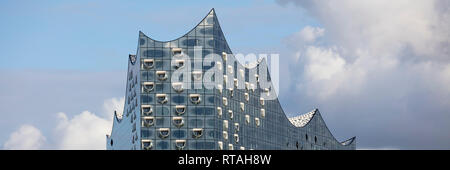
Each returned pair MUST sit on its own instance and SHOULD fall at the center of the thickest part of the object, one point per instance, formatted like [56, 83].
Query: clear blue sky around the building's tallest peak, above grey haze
[96, 35]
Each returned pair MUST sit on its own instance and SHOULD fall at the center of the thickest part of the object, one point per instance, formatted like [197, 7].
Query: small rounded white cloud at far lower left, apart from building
[26, 137]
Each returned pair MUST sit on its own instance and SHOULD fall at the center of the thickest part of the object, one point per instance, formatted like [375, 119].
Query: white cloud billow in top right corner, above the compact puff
[384, 27]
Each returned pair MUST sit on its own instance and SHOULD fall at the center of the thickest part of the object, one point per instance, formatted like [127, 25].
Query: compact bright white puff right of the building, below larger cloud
[326, 72]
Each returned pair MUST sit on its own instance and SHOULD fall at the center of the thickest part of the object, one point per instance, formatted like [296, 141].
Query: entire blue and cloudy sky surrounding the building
[377, 70]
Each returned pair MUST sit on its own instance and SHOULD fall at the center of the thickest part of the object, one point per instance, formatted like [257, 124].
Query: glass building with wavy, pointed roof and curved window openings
[170, 106]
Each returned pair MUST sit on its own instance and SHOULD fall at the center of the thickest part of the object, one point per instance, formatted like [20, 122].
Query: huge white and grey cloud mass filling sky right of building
[384, 64]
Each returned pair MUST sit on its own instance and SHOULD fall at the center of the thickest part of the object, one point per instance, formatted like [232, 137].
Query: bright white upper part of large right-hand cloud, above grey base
[373, 38]
